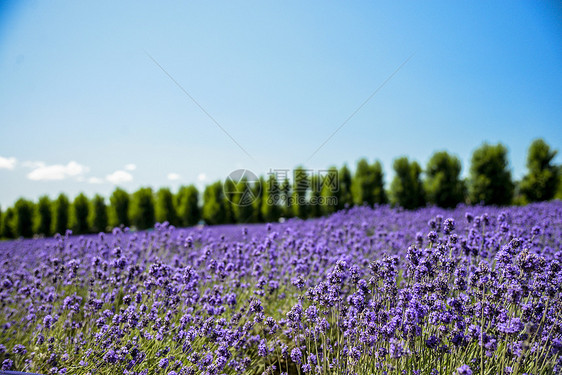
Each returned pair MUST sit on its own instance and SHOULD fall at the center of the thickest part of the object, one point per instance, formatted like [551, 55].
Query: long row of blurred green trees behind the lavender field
[489, 183]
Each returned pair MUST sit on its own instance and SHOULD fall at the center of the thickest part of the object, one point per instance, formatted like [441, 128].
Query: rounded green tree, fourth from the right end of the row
[406, 188]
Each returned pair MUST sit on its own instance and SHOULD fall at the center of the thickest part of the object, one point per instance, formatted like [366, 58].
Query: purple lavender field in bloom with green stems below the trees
[475, 290]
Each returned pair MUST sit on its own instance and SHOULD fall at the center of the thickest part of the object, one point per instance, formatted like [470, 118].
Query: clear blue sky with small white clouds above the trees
[84, 108]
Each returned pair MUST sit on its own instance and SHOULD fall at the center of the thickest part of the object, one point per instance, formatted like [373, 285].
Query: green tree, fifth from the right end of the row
[367, 185]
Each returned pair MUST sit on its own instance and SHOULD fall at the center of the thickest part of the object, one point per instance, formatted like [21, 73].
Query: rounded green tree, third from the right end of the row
[443, 185]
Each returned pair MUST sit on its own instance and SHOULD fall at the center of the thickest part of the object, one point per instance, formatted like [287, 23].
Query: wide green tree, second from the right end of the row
[490, 178]
